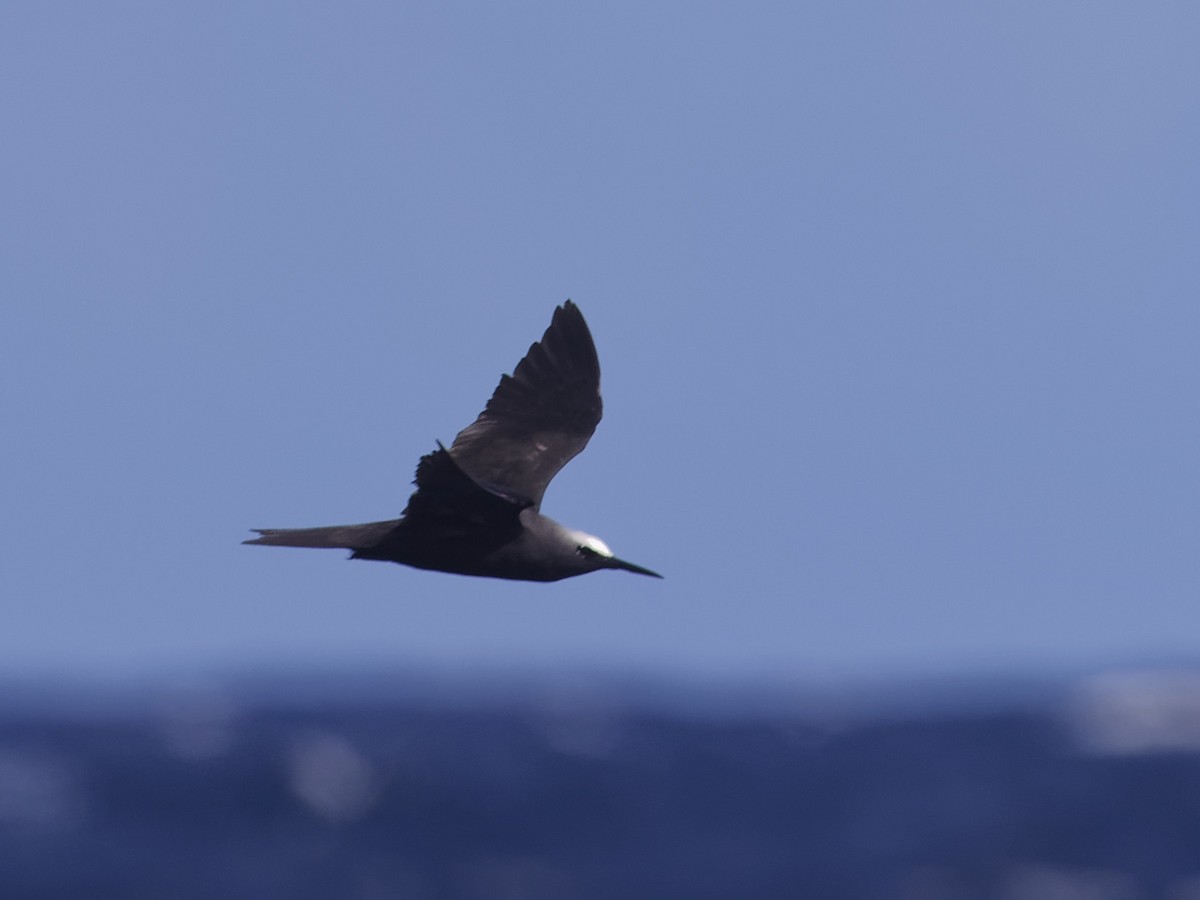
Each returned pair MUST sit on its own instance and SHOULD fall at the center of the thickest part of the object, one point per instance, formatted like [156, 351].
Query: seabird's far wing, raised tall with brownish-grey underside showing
[541, 417]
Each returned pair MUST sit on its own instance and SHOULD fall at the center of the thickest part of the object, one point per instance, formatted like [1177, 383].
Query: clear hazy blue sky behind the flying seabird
[898, 309]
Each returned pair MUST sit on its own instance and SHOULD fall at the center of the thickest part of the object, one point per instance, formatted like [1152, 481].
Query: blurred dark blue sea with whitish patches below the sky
[213, 794]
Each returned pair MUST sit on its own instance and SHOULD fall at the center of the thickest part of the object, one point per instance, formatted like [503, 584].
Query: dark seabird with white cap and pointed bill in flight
[477, 509]
